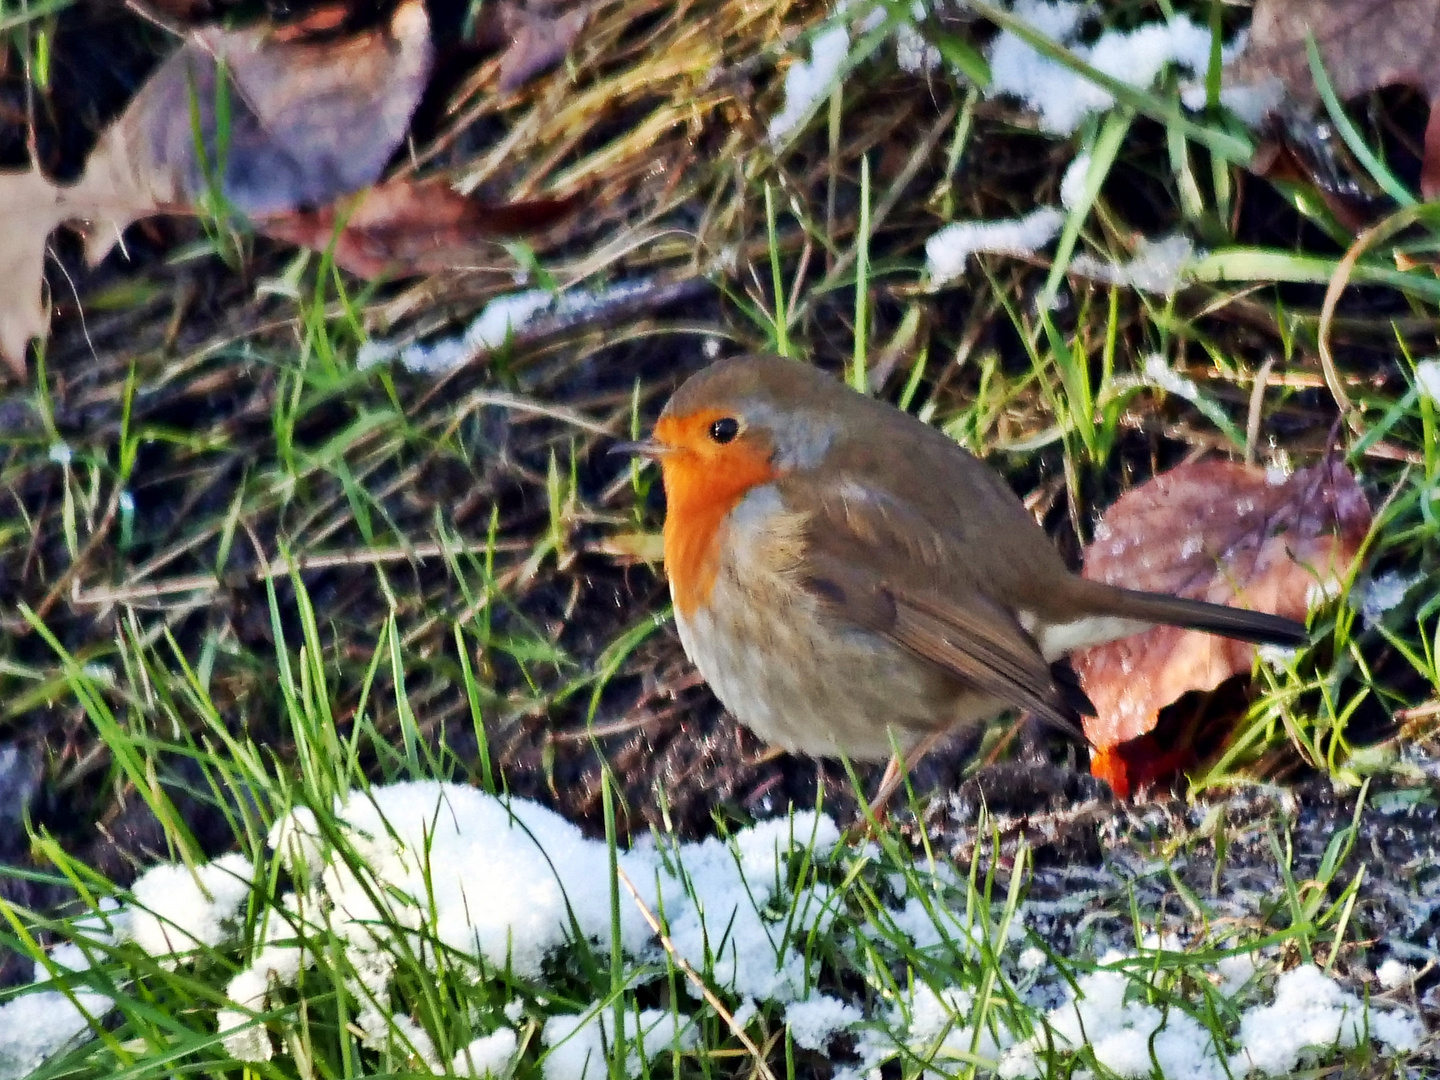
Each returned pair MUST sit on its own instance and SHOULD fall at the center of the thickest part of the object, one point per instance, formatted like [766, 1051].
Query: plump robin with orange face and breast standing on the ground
[853, 582]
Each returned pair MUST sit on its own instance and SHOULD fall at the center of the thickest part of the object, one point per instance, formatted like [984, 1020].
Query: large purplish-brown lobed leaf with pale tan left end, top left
[309, 122]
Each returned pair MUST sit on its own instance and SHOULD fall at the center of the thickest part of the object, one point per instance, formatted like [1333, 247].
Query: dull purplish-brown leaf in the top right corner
[1366, 45]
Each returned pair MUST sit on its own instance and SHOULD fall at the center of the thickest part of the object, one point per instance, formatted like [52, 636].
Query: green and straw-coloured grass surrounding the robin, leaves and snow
[260, 580]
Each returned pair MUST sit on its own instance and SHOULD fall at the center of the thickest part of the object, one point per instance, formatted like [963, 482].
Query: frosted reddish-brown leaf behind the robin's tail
[1218, 532]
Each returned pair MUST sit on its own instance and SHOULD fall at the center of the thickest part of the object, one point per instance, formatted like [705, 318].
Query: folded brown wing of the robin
[876, 567]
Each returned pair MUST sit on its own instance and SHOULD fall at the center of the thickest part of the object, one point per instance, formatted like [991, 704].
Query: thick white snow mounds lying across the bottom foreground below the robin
[512, 886]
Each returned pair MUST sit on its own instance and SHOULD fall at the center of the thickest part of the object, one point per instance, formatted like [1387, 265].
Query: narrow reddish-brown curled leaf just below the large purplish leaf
[411, 227]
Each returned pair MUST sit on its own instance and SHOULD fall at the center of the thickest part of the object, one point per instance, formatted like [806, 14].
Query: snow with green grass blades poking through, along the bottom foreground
[506, 912]
